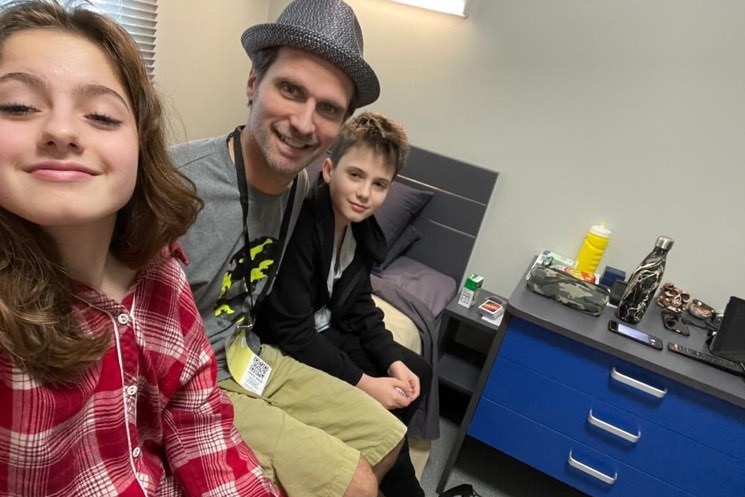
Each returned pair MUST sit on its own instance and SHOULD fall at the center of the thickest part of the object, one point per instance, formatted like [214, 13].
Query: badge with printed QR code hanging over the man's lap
[246, 367]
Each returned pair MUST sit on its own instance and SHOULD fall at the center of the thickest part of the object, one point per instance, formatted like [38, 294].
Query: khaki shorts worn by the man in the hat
[309, 429]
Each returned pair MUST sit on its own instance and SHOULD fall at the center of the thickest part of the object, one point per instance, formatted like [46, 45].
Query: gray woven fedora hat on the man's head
[326, 28]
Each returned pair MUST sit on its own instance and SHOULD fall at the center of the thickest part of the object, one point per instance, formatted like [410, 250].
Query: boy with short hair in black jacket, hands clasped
[321, 310]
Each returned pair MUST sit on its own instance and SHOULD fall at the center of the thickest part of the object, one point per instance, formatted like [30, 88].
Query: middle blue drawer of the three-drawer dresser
[620, 434]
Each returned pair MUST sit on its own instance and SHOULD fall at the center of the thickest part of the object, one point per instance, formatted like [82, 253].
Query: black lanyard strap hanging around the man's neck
[240, 170]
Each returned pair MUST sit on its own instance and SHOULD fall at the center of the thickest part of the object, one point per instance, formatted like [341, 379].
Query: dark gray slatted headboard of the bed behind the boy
[451, 220]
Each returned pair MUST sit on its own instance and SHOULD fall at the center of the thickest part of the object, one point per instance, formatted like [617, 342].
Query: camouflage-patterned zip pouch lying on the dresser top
[568, 290]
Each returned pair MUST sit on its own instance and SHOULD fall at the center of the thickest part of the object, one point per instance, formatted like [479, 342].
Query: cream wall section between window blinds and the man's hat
[200, 65]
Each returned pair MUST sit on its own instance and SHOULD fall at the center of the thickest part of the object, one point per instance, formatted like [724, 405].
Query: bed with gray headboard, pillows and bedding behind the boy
[431, 219]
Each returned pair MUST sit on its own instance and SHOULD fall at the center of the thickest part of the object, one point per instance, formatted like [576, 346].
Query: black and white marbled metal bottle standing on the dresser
[643, 282]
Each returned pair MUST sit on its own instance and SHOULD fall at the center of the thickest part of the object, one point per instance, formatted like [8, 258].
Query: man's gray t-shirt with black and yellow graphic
[214, 244]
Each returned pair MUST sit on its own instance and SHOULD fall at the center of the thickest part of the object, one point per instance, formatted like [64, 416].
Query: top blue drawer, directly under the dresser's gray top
[708, 420]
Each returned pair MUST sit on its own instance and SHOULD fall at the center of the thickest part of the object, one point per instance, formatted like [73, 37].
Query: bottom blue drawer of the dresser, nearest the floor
[561, 457]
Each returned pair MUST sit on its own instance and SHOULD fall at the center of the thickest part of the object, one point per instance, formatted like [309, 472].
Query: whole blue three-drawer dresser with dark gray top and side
[604, 414]
